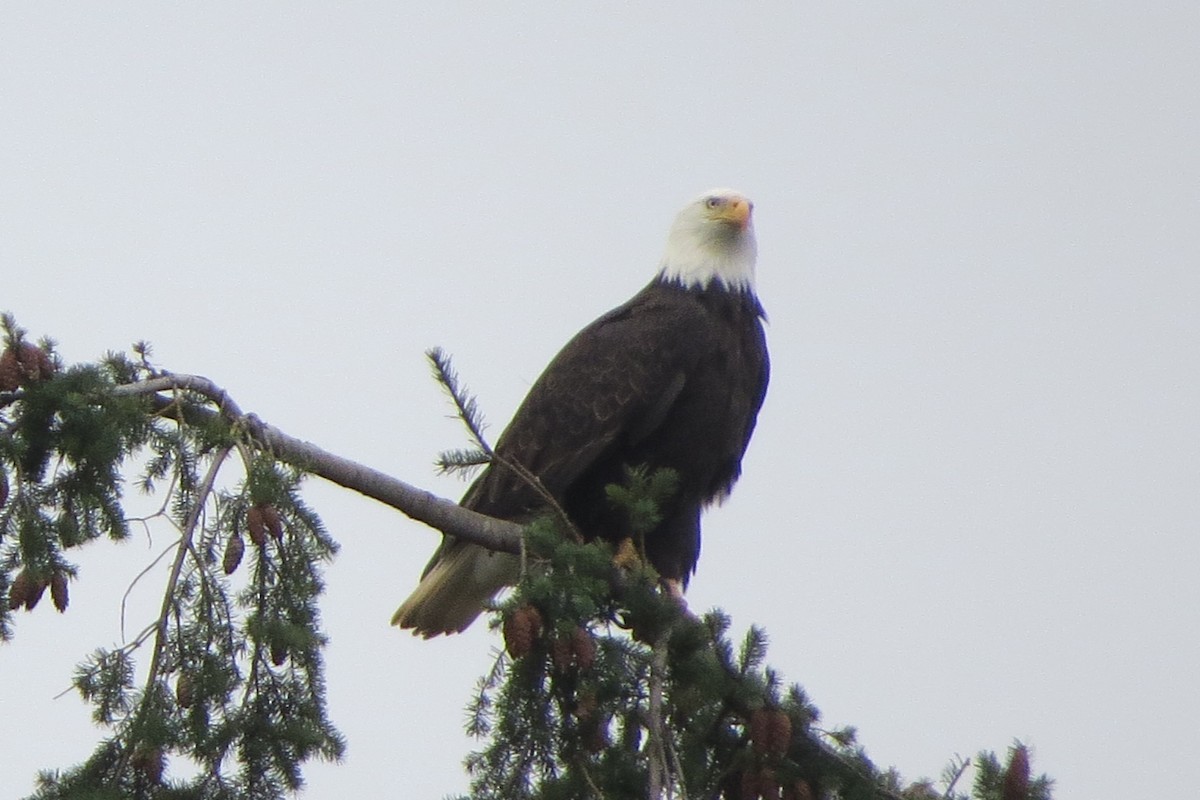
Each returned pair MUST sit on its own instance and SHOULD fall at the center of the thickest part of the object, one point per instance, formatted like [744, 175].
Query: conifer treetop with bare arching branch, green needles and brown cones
[604, 687]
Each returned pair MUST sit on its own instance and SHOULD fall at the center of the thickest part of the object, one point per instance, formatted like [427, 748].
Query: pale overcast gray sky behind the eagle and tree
[970, 512]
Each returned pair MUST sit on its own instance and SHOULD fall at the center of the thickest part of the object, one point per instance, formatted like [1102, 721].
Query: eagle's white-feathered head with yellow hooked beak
[713, 239]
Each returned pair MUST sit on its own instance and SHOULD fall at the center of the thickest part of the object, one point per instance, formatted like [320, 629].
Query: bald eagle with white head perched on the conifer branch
[674, 378]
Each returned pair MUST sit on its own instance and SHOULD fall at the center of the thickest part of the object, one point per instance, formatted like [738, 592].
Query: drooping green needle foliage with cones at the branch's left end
[236, 693]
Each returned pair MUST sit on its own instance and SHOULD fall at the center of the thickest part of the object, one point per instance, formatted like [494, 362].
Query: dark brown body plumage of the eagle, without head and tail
[674, 378]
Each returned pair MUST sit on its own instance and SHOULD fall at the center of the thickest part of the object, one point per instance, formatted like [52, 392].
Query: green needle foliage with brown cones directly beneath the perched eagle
[567, 711]
